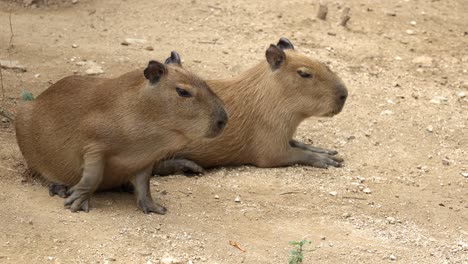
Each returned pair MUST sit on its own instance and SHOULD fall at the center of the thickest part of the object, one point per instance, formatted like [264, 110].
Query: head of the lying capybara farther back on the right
[312, 88]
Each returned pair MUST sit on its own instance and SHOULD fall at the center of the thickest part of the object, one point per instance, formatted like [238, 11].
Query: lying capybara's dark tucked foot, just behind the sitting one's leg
[173, 166]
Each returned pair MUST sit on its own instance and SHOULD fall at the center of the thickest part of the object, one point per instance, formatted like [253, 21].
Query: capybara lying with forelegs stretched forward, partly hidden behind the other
[265, 105]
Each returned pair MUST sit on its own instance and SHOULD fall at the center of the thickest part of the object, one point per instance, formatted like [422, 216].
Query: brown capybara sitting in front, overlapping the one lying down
[95, 133]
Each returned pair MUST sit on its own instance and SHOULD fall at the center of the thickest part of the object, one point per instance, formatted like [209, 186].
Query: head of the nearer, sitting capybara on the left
[185, 100]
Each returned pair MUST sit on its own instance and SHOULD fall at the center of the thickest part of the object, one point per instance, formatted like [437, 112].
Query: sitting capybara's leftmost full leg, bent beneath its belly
[90, 180]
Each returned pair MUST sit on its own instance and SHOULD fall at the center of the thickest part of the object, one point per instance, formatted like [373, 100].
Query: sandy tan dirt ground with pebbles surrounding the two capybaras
[401, 196]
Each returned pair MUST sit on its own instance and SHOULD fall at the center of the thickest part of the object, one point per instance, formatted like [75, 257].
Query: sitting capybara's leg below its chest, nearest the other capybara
[143, 195]
